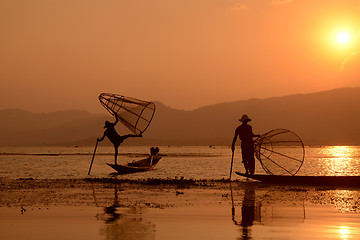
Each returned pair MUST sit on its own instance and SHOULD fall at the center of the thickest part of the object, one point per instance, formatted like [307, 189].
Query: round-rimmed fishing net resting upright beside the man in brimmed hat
[280, 152]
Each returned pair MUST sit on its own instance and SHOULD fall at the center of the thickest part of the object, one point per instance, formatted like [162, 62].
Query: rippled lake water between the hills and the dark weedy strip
[195, 162]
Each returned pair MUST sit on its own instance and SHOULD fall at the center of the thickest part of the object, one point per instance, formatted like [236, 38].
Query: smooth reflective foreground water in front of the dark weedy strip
[248, 212]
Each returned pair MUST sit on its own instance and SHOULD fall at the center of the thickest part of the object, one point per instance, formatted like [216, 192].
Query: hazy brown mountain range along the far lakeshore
[323, 118]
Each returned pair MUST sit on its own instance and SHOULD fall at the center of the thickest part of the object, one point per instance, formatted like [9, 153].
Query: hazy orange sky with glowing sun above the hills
[61, 54]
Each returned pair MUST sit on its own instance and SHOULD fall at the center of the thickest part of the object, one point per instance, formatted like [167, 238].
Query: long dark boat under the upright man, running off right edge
[330, 181]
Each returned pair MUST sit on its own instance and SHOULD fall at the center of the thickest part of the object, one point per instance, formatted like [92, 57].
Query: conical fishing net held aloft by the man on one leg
[135, 114]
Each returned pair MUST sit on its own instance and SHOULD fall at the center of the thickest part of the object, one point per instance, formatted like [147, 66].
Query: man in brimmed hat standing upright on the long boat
[245, 133]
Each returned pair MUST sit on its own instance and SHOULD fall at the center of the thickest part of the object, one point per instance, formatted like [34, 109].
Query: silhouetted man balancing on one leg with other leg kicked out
[114, 137]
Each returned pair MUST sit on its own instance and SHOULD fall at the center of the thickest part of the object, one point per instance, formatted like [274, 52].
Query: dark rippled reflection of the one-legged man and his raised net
[125, 223]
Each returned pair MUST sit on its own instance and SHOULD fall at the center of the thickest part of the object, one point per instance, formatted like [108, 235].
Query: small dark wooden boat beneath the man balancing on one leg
[142, 165]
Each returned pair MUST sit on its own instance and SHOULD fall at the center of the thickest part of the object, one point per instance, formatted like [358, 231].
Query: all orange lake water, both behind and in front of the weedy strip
[252, 212]
